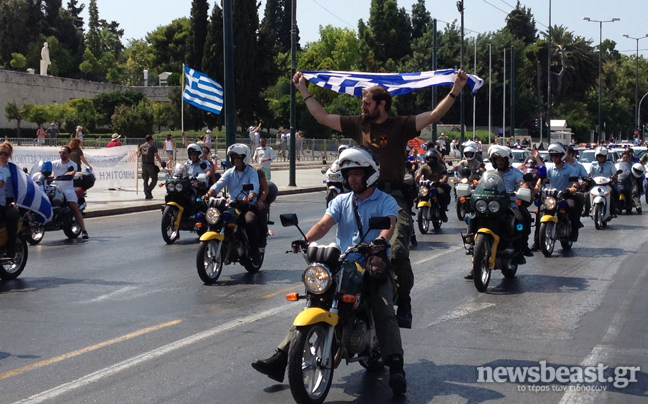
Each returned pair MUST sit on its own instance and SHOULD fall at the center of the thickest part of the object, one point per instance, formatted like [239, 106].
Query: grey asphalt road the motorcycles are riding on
[124, 318]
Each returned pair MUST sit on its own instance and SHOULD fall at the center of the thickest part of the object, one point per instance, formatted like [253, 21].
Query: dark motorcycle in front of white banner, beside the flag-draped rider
[63, 218]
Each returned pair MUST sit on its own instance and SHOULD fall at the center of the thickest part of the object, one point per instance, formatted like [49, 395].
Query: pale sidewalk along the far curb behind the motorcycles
[105, 203]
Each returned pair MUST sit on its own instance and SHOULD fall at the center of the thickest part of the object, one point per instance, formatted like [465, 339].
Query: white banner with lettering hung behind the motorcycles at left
[113, 167]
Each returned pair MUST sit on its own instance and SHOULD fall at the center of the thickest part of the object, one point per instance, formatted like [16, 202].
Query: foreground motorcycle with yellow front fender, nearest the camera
[337, 322]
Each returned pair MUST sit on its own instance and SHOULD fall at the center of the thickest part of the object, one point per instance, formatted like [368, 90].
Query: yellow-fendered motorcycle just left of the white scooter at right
[555, 224]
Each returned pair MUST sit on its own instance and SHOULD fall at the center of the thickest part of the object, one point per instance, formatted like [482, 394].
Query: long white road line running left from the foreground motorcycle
[134, 361]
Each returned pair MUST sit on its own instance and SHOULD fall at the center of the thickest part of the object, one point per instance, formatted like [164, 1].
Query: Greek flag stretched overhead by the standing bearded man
[396, 83]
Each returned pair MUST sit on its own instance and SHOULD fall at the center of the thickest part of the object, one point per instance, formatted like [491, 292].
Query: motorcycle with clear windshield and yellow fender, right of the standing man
[496, 242]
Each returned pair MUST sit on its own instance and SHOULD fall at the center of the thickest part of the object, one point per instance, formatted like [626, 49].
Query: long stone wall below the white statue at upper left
[24, 88]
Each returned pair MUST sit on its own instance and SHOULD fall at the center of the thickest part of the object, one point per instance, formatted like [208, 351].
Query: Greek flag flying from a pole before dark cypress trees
[202, 91]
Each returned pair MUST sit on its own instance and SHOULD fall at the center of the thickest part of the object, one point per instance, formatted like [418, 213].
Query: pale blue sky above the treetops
[139, 17]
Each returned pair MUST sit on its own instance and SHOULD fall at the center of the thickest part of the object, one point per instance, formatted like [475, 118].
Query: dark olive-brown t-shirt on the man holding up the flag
[387, 140]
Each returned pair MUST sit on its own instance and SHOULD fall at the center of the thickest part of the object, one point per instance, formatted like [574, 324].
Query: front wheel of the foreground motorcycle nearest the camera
[309, 381]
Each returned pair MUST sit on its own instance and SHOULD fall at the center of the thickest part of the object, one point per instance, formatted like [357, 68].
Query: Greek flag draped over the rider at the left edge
[29, 196]
